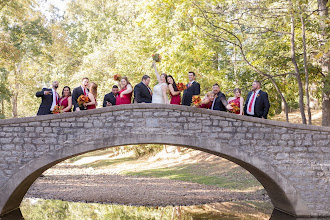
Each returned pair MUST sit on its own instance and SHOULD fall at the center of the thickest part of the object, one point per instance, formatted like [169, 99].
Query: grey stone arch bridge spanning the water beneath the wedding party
[291, 161]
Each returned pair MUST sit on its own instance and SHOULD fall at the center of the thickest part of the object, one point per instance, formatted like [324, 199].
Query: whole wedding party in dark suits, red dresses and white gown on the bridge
[84, 96]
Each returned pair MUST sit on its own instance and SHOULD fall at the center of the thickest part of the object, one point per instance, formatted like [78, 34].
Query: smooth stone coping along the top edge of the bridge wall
[11, 121]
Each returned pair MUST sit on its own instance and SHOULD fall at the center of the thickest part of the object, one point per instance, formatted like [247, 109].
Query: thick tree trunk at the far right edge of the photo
[325, 62]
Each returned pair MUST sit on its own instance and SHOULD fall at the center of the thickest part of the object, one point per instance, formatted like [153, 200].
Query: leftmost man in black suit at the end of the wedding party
[49, 99]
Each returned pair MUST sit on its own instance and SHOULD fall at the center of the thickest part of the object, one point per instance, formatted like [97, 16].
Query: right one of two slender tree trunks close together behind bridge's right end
[306, 71]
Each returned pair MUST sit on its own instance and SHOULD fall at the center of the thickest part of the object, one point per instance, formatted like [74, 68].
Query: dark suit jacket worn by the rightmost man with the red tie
[261, 106]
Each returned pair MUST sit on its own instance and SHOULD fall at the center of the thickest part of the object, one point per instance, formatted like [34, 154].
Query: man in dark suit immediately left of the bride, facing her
[142, 91]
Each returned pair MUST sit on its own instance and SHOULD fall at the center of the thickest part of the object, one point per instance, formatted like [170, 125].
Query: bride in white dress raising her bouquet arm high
[160, 90]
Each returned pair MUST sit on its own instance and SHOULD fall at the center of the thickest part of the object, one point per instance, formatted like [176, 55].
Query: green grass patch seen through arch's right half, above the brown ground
[231, 179]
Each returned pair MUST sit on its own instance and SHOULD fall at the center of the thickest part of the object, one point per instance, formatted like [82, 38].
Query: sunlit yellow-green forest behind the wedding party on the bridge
[284, 44]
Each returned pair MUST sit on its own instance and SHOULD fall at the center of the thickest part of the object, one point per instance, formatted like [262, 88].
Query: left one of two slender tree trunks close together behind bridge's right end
[300, 86]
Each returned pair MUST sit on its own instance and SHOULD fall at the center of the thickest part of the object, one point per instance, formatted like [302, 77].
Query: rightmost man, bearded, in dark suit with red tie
[257, 103]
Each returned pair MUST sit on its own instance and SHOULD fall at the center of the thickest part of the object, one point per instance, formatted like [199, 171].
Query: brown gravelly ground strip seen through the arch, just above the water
[129, 190]
